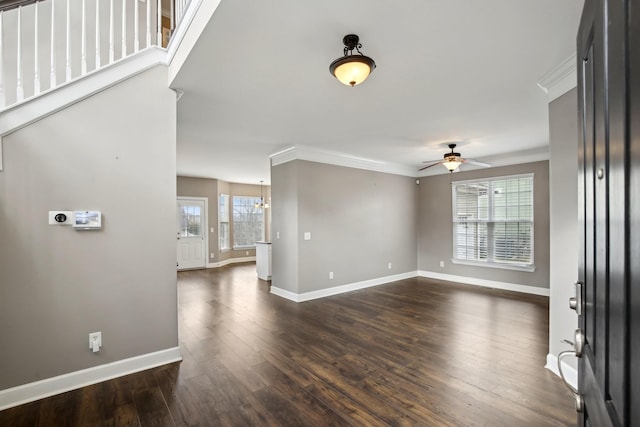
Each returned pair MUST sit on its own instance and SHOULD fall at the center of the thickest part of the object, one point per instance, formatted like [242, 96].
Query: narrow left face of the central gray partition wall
[284, 227]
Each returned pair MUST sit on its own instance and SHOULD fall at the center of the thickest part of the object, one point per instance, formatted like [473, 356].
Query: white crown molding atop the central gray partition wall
[339, 159]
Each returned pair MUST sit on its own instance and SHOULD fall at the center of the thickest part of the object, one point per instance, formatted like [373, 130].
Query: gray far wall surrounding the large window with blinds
[435, 226]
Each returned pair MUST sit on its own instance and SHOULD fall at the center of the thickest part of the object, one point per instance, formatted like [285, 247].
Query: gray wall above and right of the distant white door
[208, 188]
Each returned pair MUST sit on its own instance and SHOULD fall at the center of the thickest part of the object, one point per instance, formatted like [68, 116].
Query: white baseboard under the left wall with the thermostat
[51, 386]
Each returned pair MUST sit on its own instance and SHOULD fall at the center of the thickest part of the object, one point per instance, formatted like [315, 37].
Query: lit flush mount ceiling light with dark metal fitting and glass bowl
[352, 69]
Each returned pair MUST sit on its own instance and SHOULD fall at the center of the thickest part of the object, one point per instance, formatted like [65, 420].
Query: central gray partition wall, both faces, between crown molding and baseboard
[359, 222]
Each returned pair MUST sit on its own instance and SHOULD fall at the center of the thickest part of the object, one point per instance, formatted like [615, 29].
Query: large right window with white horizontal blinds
[493, 221]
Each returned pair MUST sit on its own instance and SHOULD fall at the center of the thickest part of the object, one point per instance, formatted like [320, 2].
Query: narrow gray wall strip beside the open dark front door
[563, 176]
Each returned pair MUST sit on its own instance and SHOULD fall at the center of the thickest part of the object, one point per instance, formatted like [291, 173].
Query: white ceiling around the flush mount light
[258, 81]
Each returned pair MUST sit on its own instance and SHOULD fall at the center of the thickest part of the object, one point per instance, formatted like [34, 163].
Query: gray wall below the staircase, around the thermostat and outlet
[58, 284]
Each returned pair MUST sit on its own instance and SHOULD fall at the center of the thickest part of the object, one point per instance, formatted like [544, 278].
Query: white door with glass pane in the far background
[192, 226]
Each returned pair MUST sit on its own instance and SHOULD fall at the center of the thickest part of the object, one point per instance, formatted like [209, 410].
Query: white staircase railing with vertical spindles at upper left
[49, 43]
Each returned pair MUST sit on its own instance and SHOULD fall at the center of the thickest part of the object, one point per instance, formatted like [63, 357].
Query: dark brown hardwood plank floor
[414, 352]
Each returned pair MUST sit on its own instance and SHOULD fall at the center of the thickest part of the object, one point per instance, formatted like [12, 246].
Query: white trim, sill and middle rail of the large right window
[529, 267]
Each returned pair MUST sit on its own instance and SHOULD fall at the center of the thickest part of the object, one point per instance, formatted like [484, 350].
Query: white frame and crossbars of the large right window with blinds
[490, 221]
